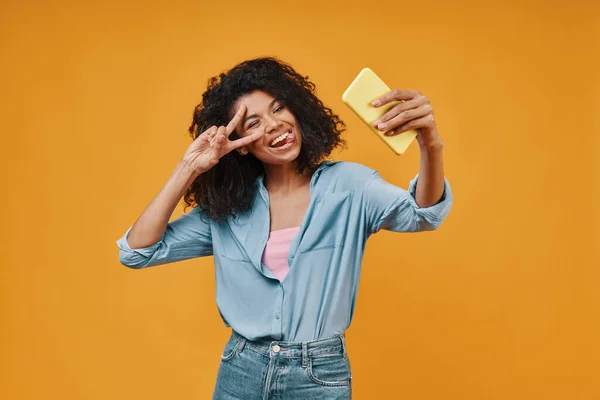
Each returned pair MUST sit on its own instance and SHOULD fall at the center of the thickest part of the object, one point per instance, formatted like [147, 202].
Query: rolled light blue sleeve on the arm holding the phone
[392, 208]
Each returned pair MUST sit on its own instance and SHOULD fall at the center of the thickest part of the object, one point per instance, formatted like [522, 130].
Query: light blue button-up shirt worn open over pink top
[348, 203]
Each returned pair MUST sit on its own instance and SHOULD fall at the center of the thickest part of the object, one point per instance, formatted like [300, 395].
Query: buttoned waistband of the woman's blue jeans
[335, 345]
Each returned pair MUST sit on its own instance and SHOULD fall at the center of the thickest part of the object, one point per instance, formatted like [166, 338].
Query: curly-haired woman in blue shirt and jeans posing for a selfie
[287, 229]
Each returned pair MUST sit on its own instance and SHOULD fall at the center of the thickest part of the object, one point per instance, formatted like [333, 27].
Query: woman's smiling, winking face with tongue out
[282, 139]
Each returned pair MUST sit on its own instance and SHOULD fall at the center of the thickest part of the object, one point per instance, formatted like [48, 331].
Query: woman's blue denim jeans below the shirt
[267, 370]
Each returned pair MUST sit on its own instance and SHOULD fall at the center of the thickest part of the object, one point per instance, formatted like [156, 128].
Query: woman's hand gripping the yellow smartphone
[414, 112]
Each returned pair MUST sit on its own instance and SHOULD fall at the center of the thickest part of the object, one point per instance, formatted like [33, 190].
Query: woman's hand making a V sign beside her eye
[212, 144]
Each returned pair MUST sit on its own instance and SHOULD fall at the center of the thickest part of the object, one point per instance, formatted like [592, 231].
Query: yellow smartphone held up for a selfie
[366, 88]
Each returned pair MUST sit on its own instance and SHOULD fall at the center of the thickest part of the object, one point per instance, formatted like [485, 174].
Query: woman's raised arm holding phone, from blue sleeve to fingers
[428, 199]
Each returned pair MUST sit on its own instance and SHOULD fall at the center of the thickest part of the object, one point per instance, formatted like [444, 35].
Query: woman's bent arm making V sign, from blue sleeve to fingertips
[152, 240]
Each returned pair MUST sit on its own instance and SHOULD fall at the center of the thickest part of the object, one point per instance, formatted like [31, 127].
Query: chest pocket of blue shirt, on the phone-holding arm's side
[328, 225]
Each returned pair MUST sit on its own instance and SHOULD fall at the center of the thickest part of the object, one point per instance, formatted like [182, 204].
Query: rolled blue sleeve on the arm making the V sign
[186, 237]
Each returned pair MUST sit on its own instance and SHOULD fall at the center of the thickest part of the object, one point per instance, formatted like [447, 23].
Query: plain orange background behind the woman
[502, 302]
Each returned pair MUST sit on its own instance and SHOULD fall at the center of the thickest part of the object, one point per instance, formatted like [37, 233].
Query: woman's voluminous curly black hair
[229, 187]
